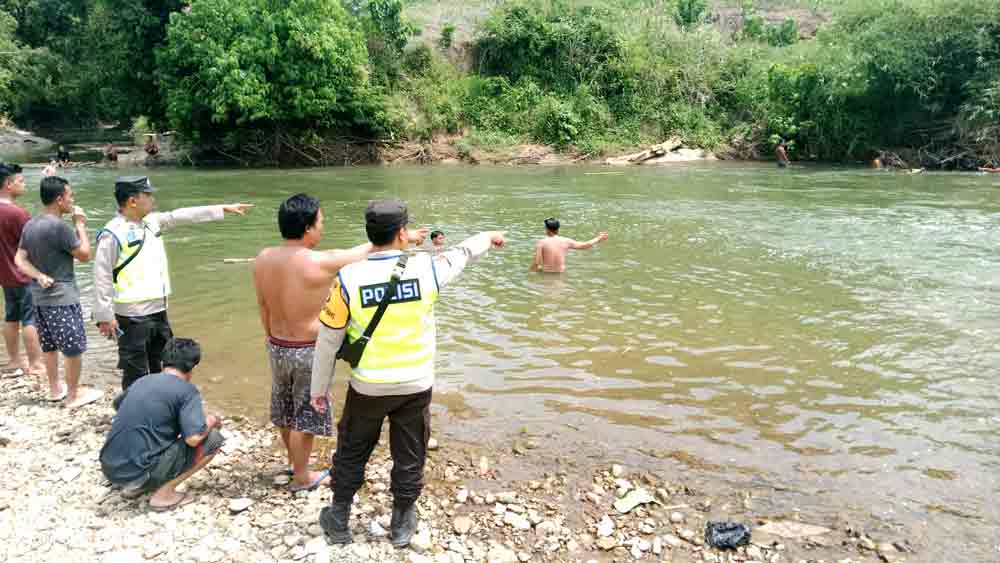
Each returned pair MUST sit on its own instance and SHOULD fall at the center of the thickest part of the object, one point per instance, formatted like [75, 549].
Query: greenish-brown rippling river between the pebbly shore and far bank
[833, 332]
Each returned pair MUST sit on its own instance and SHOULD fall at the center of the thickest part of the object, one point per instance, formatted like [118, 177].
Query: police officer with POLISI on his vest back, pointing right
[395, 375]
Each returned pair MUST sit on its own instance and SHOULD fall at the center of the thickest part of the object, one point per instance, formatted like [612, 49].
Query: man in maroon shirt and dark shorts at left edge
[19, 317]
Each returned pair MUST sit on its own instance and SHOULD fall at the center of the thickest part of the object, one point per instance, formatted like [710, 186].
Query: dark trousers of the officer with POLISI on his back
[358, 432]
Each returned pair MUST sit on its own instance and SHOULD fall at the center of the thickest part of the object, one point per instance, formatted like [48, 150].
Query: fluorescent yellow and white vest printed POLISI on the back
[403, 346]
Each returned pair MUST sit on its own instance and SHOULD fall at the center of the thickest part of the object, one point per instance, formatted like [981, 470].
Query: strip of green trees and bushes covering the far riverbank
[270, 82]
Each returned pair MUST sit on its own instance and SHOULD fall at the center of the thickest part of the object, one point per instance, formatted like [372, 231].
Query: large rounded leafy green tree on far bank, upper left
[296, 67]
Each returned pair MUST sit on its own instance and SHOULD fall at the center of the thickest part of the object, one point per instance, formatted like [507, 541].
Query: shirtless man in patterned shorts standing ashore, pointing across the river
[293, 282]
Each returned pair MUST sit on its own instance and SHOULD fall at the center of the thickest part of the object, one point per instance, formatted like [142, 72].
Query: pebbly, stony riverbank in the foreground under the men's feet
[482, 502]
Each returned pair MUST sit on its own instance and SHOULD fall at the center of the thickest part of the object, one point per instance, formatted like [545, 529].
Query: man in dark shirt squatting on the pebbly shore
[161, 436]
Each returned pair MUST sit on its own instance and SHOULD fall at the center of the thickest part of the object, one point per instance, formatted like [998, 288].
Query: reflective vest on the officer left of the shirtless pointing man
[146, 277]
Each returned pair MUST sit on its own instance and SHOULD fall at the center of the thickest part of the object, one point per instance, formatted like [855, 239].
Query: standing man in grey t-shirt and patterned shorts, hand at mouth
[46, 253]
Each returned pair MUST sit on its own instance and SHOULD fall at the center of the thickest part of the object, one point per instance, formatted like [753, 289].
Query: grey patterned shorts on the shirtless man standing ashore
[291, 375]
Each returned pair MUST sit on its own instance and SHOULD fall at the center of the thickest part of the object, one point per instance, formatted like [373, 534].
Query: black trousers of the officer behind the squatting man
[140, 348]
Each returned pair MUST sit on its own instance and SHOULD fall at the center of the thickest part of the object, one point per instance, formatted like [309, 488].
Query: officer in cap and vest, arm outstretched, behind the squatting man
[131, 276]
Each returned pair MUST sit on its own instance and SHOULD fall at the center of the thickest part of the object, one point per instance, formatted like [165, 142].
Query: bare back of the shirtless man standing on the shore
[292, 286]
